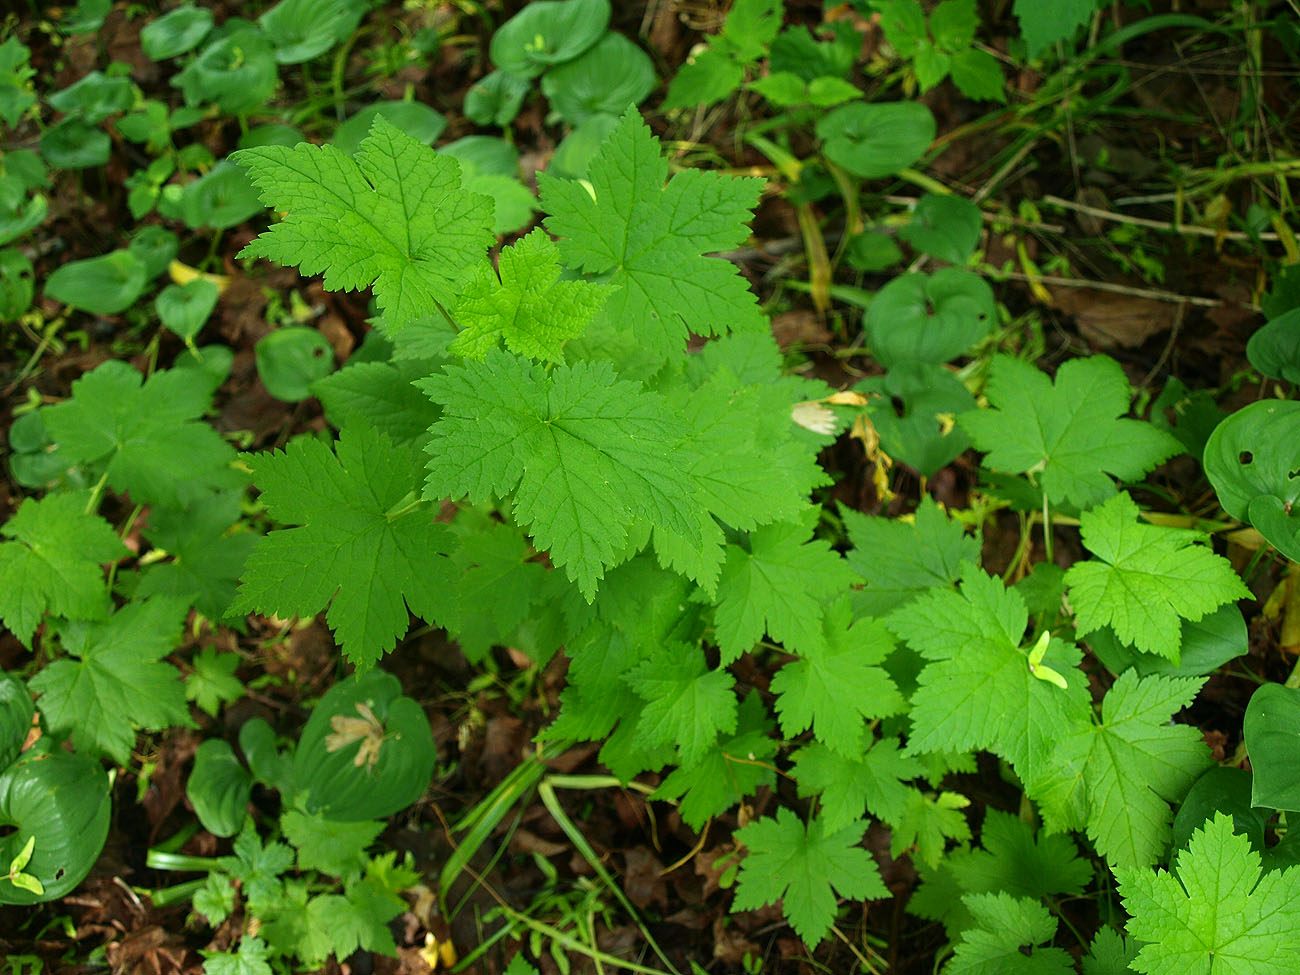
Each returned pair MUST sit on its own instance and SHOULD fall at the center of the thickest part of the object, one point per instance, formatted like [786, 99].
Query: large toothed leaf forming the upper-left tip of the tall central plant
[395, 218]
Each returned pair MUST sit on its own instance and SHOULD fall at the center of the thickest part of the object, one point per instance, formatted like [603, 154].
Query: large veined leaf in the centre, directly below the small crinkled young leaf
[586, 454]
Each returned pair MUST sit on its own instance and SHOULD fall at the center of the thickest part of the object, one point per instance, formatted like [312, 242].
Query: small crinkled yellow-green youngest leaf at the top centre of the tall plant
[528, 306]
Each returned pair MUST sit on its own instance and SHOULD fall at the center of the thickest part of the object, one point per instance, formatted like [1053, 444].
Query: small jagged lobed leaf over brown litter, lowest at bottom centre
[804, 869]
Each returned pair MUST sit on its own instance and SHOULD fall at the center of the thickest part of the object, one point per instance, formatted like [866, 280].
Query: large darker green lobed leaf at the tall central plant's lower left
[363, 543]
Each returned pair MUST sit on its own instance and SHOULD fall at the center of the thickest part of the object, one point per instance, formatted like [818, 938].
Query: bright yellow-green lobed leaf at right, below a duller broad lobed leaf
[1146, 579]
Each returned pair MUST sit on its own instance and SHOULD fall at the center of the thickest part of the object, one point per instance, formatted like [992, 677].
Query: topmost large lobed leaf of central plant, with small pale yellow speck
[652, 240]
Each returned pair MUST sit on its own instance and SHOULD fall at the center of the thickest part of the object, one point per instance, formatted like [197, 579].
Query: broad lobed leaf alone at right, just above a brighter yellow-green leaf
[1069, 432]
